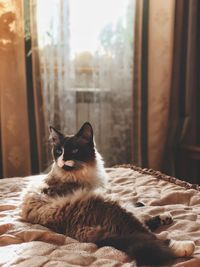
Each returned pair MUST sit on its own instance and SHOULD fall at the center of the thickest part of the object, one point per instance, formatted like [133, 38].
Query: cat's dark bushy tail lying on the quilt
[143, 248]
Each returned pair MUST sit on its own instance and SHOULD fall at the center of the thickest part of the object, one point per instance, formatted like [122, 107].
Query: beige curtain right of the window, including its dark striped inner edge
[152, 80]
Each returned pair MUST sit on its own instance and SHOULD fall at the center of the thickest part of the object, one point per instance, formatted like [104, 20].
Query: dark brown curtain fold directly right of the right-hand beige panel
[178, 117]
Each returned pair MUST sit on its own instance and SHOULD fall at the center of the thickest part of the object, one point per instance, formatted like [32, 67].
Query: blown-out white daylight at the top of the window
[87, 20]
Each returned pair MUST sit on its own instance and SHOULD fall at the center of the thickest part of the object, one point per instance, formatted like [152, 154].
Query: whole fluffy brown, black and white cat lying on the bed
[70, 200]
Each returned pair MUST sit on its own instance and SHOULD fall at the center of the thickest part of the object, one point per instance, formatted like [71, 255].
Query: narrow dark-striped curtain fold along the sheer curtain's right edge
[140, 79]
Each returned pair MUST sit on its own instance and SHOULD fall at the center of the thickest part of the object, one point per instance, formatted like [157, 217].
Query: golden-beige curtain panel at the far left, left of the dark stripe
[15, 142]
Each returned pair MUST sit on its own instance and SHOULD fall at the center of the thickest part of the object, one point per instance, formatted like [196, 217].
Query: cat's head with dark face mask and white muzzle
[73, 152]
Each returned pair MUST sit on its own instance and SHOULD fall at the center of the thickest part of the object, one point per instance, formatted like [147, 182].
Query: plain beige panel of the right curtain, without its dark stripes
[160, 64]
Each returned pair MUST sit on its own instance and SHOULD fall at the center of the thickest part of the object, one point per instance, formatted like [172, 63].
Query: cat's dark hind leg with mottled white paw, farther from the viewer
[155, 222]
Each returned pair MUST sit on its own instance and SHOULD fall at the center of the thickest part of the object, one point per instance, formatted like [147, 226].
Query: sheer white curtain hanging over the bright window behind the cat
[85, 53]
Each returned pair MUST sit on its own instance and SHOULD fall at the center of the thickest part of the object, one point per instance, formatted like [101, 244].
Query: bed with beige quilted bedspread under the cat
[23, 244]
